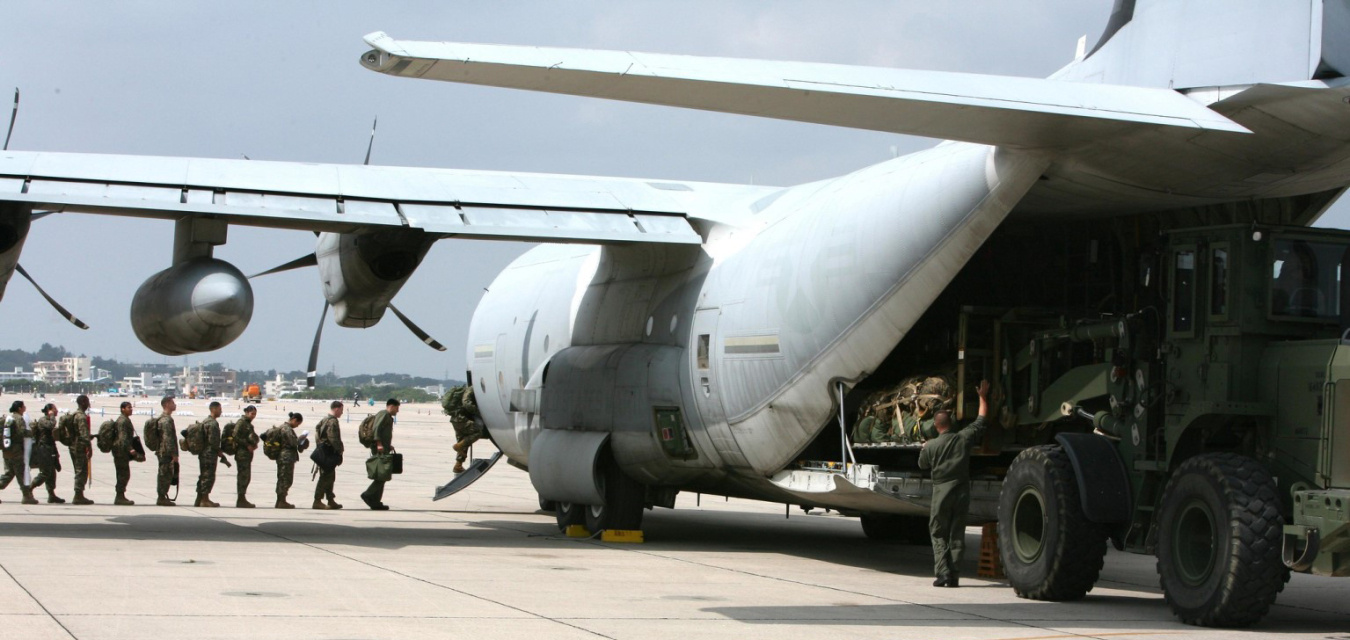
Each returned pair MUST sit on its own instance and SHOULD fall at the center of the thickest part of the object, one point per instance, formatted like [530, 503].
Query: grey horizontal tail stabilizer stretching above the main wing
[990, 110]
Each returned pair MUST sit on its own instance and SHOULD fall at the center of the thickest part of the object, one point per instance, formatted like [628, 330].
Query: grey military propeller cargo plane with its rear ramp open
[691, 337]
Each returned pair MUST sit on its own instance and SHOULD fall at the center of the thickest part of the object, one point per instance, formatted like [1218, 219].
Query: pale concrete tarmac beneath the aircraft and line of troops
[487, 564]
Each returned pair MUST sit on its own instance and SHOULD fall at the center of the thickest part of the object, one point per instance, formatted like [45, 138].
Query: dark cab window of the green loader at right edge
[1306, 279]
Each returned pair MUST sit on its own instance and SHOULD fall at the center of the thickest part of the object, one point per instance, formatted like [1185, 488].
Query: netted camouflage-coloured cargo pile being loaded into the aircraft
[904, 414]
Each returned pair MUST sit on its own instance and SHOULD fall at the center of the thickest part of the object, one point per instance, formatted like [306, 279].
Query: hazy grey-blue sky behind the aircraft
[281, 82]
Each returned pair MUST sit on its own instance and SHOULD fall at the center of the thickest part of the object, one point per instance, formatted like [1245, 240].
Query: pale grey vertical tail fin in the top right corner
[1199, 44]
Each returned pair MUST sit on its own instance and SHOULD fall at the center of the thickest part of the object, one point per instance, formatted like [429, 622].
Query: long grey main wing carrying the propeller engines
[345, 198]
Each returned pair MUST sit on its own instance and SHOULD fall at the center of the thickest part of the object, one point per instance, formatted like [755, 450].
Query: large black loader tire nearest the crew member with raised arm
[1050, 549]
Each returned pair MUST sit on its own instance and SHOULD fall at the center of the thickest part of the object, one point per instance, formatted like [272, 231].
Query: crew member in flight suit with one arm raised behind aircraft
[950, 458]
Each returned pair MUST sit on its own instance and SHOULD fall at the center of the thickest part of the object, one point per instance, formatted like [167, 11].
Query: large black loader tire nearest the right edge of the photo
[1220, 535]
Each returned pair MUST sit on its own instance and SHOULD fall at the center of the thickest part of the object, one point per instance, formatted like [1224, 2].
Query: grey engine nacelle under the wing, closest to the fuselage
[364, 272]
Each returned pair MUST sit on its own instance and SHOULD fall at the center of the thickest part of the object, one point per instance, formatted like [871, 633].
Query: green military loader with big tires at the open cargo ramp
[1201, 415]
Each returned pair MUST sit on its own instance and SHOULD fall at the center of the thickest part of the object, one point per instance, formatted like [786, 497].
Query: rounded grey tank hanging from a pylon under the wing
[196, 306]
